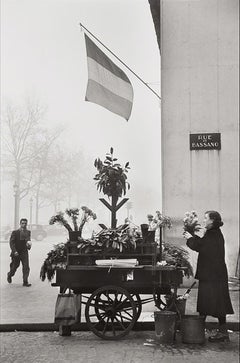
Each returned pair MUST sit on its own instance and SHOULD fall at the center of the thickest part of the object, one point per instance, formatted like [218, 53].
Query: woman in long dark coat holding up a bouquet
[213, 294]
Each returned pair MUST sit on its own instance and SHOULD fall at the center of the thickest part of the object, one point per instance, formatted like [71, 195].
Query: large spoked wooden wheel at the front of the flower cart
[110, 312]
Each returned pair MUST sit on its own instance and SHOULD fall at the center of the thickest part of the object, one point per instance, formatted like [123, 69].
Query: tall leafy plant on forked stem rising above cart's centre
[112, 181]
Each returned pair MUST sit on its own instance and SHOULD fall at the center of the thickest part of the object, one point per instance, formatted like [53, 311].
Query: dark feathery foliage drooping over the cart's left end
[56, 258]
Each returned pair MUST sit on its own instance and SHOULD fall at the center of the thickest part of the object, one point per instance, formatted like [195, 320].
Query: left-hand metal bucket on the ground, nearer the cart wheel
[164, 326]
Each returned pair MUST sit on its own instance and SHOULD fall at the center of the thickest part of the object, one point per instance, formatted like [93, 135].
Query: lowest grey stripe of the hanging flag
[102, 96]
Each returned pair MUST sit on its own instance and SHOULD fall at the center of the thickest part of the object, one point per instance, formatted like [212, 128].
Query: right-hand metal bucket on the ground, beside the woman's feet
[193, 329]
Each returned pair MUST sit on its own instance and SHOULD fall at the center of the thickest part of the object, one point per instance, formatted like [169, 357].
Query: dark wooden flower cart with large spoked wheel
[113, 295]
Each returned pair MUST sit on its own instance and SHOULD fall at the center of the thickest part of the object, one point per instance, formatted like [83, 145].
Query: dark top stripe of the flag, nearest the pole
[95, 53]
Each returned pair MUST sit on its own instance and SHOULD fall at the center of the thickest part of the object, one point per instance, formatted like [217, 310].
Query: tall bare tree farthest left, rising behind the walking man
[25, 142]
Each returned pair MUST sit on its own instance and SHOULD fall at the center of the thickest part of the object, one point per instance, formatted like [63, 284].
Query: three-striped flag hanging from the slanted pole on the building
[108, 85]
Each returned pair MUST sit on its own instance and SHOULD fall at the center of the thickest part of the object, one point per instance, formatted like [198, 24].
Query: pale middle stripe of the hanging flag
[98, 73]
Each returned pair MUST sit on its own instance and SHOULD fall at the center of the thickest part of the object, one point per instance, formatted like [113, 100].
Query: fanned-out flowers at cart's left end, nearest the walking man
[73, 214]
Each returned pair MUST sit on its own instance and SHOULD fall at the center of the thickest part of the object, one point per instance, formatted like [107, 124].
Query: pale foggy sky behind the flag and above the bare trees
[43, 57]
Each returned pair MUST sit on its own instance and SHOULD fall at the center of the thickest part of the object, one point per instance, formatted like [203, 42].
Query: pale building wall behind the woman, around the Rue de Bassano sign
[200, 95]
